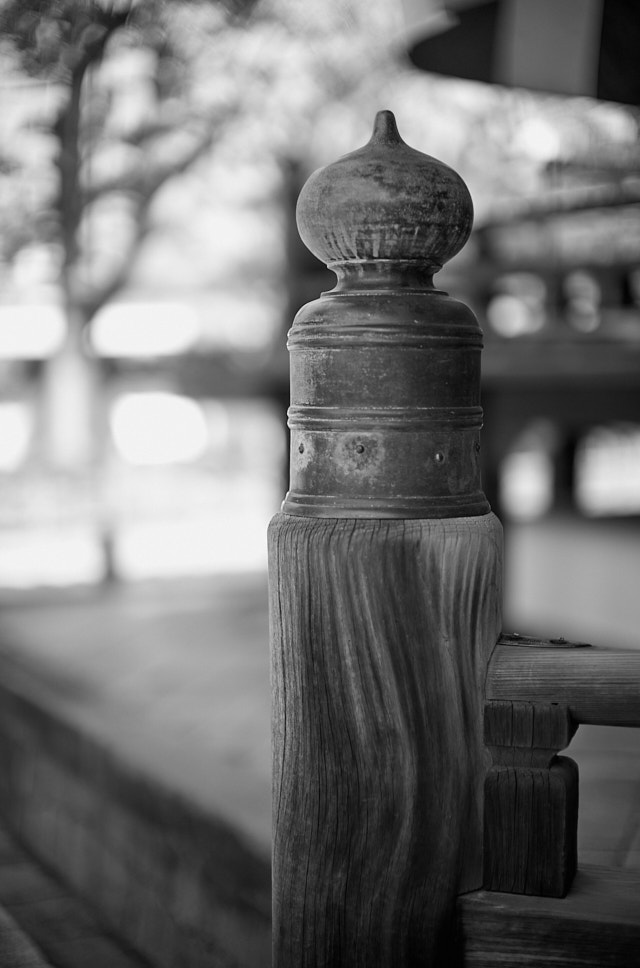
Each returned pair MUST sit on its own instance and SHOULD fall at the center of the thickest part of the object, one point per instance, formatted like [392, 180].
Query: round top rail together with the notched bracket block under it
[537, 694]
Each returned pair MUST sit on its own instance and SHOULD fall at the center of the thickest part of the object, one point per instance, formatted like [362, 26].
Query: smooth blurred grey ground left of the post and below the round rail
[174, 678]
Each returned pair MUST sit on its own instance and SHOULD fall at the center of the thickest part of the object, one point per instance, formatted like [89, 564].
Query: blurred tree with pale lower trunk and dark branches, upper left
[124, 112]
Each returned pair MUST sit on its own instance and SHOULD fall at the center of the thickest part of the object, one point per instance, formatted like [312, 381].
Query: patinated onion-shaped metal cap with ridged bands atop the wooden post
[385, 410]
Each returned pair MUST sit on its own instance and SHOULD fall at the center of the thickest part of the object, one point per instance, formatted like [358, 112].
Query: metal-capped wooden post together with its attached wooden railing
[417, 782]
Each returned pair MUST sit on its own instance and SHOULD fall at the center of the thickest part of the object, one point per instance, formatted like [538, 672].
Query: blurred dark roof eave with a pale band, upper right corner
[570, 47]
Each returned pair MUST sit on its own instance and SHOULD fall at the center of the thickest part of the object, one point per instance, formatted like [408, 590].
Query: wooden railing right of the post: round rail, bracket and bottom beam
[532, 911]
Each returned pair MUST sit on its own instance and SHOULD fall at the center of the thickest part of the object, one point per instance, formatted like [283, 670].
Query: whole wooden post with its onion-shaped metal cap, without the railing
[385, 578]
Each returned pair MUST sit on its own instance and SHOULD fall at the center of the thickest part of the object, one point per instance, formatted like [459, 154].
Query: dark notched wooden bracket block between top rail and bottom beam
[531, 799]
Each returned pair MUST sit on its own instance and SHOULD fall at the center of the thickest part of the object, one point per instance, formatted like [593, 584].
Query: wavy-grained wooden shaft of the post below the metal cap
[380, 631]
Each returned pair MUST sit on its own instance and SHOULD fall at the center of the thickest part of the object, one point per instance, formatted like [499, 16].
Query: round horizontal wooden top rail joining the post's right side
[598, 686]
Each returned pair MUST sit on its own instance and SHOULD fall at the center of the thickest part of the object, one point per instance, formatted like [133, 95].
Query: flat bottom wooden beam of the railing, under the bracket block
[596, 926]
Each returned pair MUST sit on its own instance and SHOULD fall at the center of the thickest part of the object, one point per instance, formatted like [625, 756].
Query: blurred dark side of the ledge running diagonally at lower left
[183, 888]
